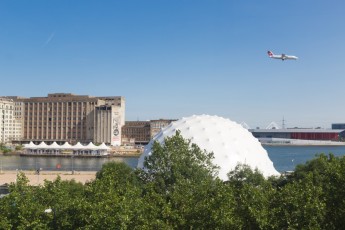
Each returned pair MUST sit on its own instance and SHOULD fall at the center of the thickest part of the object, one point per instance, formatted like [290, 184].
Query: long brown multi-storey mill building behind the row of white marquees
[65, 117]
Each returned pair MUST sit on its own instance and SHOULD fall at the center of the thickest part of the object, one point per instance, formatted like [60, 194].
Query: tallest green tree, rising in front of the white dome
[182, 190]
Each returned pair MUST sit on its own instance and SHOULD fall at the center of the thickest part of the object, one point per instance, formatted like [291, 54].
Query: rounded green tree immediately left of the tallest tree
[115, 199]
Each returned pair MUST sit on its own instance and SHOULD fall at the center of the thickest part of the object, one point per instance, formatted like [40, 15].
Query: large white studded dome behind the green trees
[229, 141]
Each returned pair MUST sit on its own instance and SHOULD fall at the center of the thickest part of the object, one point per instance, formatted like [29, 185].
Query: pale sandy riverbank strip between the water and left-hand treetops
[10, 176]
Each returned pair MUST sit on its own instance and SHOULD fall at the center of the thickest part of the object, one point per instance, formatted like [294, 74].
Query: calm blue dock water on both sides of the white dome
[284, 158]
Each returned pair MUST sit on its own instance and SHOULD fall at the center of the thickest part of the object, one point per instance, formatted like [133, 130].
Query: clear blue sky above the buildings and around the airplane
[176, 58]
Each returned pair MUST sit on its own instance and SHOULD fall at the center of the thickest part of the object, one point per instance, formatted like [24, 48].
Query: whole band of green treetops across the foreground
[179, 189]
